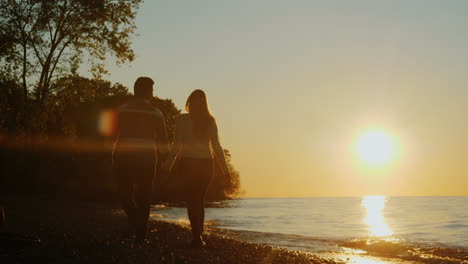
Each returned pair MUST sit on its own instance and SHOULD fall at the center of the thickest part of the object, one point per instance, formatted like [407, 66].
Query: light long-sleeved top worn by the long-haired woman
[188, 145]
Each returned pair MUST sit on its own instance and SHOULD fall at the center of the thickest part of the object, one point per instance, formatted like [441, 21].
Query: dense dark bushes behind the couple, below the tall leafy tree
[65, 150]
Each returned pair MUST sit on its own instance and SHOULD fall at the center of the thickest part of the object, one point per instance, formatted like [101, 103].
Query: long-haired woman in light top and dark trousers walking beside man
[196, 134]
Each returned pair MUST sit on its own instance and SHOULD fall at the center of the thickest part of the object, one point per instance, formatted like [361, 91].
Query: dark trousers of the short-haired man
[135, 191]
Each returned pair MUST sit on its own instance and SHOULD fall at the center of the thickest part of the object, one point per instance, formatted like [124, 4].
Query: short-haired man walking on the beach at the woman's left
[141, 137]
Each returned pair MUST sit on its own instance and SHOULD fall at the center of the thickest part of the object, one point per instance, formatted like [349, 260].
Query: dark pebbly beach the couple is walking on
[43, 230]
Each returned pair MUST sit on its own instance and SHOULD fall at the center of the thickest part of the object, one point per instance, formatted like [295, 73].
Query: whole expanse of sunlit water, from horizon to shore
[402, 227]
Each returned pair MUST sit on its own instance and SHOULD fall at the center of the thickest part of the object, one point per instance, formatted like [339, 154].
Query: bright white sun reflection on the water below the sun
[374, 206]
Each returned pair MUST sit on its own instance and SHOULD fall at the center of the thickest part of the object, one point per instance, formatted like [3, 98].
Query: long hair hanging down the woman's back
[197, 107]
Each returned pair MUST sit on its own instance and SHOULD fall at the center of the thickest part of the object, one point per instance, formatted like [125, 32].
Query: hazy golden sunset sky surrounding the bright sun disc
[295, 84]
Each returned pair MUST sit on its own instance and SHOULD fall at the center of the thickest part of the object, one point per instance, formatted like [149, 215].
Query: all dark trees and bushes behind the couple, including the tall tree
[54, 122]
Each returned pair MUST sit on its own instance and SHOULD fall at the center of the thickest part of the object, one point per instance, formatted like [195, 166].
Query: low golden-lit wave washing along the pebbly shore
[348, 249]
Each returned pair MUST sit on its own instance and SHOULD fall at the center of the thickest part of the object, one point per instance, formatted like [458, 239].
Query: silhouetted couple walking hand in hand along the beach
[141, 140]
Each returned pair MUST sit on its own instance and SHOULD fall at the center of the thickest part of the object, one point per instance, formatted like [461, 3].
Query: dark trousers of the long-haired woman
[196, 175]
